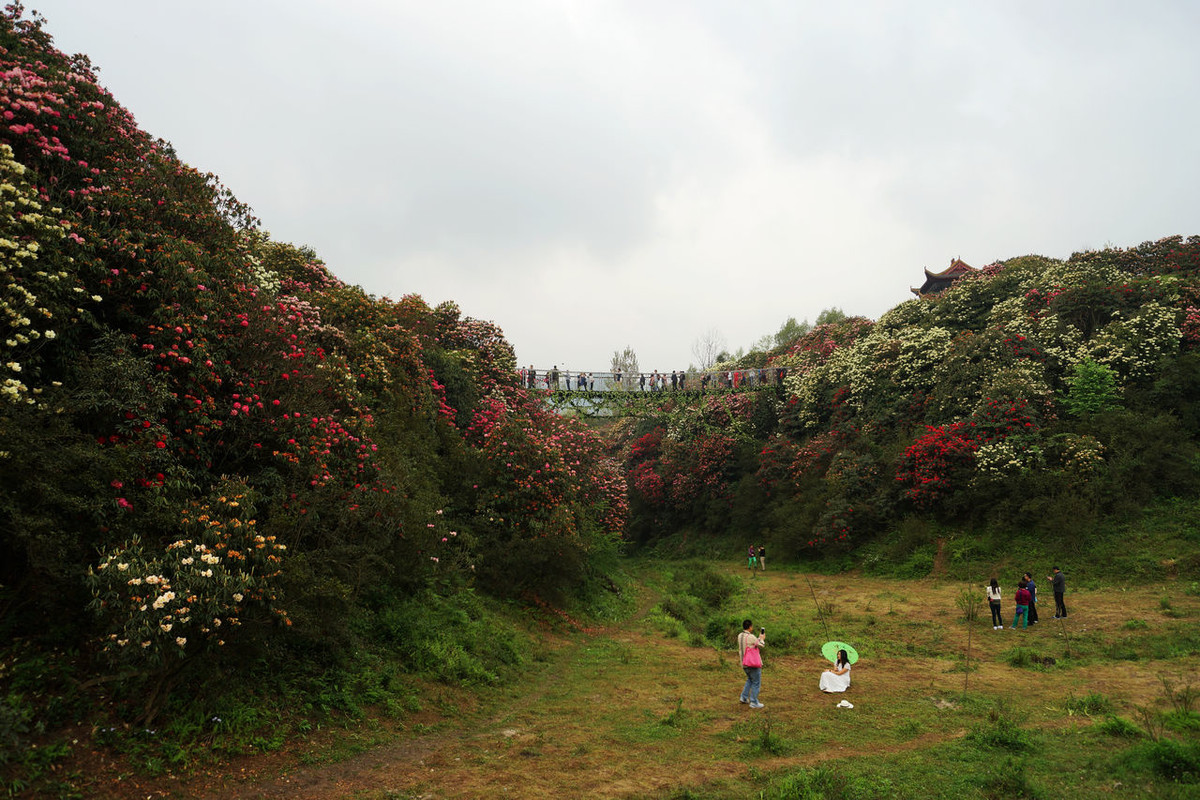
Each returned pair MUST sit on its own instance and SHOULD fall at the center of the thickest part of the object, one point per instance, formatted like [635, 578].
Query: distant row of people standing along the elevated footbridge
[651, 382]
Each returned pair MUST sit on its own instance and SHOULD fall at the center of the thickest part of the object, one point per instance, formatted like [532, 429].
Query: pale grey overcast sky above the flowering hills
[593, 176]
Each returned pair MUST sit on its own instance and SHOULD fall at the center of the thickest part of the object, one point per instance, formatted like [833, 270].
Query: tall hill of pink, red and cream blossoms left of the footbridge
[208, 442]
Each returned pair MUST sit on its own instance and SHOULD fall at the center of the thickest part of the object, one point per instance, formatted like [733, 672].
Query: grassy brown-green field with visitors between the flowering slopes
[649, 708]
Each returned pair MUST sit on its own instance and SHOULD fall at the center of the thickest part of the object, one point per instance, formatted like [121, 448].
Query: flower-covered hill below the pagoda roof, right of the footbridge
[1037, 396]
